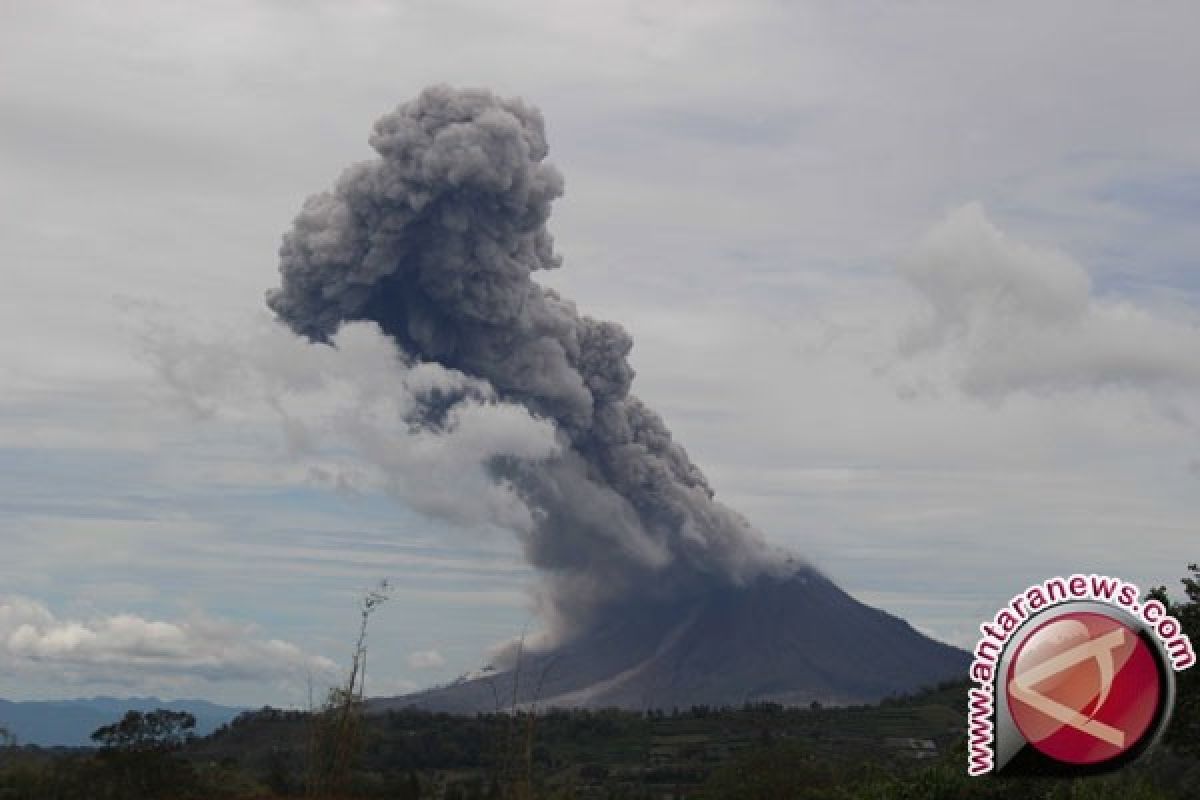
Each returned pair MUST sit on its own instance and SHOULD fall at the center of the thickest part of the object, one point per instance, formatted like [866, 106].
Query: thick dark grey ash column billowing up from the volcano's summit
[437, 243]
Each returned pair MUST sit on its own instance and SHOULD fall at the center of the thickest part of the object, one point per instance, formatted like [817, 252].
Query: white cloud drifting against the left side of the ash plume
[345, 412]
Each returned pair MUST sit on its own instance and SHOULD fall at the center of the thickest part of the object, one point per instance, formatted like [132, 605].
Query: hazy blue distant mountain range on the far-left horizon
[69, 724]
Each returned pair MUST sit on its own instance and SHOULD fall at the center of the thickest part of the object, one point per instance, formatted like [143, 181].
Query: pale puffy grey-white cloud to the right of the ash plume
[1018, 317]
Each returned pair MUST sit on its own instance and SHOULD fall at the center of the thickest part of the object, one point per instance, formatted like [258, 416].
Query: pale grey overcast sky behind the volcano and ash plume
[916, 285]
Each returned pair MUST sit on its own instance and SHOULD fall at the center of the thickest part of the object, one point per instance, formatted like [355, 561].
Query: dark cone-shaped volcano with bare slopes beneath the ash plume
[781, 640]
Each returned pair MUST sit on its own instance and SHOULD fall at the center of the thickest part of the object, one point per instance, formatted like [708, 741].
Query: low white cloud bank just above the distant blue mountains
[128, 648]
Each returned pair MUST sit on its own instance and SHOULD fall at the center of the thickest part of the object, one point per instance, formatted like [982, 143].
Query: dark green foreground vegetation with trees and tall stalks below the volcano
[902, 749]
